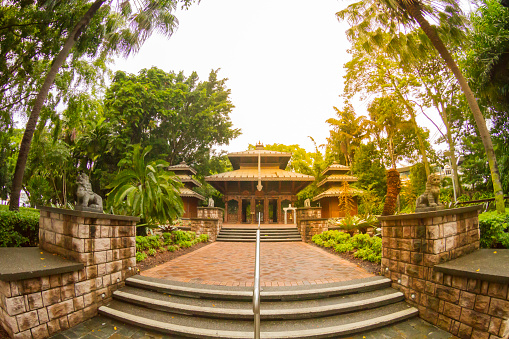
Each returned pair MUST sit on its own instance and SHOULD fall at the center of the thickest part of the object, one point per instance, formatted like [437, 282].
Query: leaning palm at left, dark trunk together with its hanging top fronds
[134, 28]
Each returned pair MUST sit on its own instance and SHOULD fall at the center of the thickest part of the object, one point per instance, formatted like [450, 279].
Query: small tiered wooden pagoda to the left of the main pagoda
[189, 197]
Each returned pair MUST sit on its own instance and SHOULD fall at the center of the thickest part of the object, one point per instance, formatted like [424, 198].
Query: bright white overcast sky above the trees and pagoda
[283, 60]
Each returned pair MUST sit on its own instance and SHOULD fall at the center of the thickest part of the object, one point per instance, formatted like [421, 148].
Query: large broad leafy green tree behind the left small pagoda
[181, 117]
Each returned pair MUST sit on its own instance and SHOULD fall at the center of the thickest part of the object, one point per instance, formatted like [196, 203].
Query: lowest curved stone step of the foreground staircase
[201, 327]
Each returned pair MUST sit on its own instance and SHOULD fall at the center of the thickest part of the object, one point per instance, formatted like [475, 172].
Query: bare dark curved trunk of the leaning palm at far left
[59, 60]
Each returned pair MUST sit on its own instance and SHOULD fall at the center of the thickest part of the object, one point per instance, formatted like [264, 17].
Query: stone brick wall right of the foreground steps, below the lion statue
[414, 243]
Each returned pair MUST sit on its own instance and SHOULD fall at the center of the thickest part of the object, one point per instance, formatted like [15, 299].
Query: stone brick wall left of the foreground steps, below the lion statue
[105, 244]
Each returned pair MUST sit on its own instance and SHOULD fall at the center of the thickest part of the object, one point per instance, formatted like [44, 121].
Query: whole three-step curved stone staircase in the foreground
[305, 311]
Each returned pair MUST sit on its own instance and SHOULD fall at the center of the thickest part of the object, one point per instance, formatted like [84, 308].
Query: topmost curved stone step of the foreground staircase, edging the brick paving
[303, 292]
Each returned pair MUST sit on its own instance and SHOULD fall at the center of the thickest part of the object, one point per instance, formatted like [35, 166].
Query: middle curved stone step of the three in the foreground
[269, 310]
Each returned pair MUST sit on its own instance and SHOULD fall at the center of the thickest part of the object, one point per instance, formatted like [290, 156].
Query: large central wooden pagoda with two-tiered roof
[258, 184]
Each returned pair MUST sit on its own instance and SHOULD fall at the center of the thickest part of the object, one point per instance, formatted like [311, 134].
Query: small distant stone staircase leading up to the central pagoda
[266, 234]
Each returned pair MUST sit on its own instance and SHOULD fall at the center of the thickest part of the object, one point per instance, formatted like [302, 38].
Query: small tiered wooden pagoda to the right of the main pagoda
[333, 187]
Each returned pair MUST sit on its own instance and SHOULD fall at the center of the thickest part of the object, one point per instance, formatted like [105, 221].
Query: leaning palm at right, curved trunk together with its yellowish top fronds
[375, 16]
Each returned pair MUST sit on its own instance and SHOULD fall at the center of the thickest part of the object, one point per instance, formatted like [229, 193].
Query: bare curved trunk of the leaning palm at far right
[415, 11]
